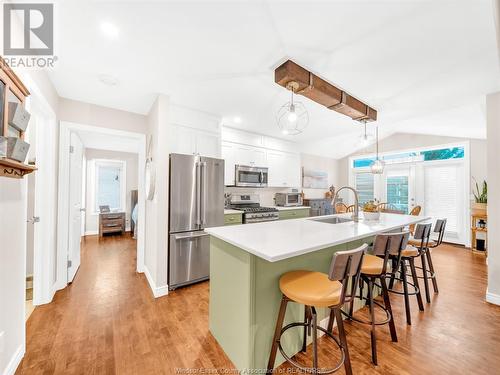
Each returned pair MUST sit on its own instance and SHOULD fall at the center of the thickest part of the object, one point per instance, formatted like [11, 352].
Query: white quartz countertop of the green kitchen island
[279, 240]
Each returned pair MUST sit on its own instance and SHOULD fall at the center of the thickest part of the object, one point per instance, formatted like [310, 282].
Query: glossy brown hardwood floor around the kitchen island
[107, 322]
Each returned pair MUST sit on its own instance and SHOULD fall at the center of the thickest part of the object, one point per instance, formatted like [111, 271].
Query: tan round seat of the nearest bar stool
[311, 288]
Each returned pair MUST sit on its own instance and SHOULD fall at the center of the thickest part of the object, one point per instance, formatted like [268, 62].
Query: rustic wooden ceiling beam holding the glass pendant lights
[320, 91]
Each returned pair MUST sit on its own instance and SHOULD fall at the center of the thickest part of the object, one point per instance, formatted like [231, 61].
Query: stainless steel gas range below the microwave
[253, 212]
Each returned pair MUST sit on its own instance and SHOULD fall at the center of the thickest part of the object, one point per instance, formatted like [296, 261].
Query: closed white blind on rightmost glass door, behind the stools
[444, 198]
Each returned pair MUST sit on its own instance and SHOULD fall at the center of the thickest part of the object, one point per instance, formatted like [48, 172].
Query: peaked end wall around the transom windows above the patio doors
[403, 141]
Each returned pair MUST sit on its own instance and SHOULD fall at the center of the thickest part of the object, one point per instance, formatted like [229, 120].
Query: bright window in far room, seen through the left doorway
[109, 187]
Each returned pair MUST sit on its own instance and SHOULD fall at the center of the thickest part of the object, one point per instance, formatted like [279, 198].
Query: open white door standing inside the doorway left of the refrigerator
[75, 205]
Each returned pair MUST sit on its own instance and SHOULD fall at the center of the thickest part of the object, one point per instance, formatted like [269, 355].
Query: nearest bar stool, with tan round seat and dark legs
[316, 289]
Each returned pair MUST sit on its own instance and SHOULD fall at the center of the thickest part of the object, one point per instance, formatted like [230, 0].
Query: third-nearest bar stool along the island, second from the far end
[408, 255]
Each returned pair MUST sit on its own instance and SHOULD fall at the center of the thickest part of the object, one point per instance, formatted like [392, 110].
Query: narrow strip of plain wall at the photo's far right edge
[493, 129]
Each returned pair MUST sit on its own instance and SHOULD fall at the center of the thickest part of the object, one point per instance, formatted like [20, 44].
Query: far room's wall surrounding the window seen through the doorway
[91, 218]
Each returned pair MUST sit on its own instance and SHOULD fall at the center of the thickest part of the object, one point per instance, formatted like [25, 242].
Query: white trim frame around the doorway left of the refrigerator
[63, 218]
